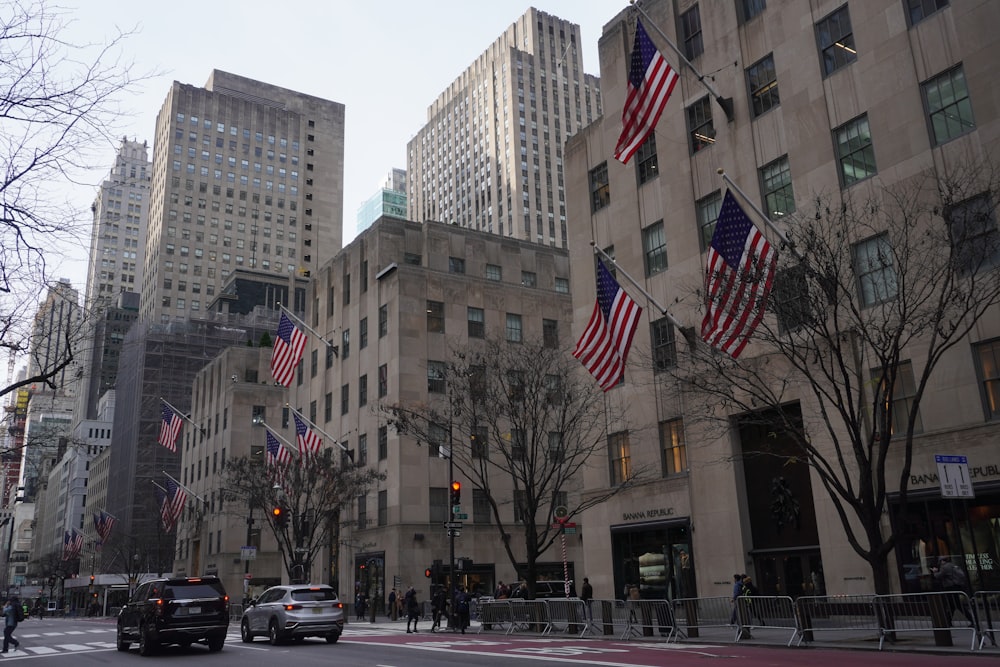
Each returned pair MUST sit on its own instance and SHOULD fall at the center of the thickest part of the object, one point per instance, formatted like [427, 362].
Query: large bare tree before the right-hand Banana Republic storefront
[873, 297]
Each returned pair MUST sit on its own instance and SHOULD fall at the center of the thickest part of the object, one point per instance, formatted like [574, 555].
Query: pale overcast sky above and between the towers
[385, 61]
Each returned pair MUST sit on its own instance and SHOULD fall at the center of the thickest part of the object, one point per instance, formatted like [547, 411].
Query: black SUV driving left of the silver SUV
[178, 610]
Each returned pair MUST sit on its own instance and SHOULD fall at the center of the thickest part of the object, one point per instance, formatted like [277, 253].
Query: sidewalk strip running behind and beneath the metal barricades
[855, 641]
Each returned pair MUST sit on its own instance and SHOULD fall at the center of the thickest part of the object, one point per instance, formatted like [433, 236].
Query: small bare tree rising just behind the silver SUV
[310, 499]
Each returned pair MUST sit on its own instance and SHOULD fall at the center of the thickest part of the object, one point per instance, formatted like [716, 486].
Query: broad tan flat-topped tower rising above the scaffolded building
[245, 175]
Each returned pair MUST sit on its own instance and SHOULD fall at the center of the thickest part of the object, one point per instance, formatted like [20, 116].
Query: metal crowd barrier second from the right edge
[924, 612]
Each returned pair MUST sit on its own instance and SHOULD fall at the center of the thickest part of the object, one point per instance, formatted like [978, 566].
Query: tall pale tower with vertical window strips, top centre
[490, 157]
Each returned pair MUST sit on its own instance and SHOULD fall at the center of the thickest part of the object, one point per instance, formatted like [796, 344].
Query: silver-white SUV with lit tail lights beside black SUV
[294, 612]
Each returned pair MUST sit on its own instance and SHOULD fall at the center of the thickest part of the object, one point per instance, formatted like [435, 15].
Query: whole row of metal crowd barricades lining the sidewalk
[936, 613]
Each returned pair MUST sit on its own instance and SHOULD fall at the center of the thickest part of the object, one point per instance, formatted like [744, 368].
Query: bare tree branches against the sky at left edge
[58, 107]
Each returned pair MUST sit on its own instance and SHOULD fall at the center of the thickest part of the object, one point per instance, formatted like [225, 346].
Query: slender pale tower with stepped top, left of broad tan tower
[118, 234]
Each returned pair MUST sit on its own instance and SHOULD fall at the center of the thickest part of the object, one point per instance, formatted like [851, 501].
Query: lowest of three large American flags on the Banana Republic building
[604, 345]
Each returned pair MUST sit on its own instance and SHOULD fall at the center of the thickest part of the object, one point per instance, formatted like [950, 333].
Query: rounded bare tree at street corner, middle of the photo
[521, 421]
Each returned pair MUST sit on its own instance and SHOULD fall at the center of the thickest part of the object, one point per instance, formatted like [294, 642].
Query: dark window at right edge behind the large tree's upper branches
[974, 237]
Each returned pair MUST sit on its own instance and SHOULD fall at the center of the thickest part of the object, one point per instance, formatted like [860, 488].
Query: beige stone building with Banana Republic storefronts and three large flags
[830, 98]
